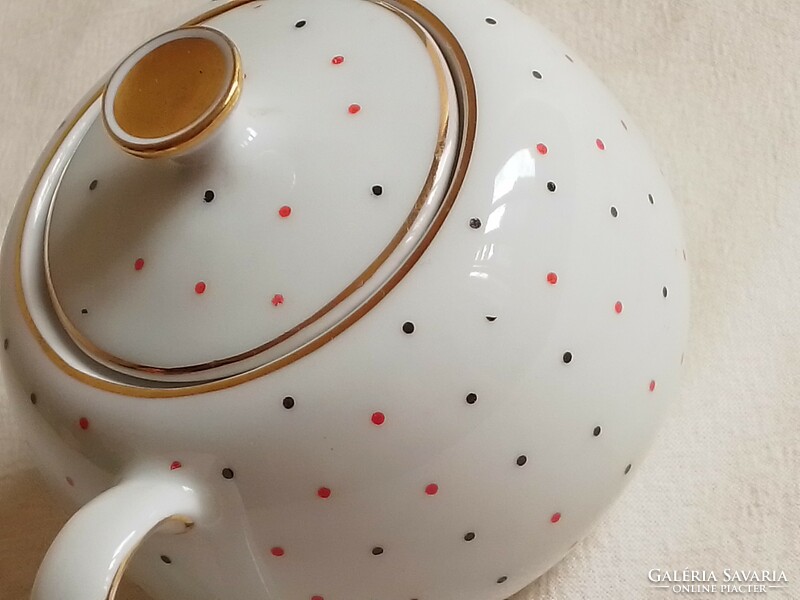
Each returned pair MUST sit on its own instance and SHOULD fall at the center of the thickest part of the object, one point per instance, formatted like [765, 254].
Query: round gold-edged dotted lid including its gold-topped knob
[247, 184]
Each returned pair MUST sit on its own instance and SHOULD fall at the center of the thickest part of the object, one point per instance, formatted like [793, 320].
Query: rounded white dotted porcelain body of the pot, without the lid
[619, 307]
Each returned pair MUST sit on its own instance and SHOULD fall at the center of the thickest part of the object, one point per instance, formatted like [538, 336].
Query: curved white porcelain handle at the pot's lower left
[88, 558]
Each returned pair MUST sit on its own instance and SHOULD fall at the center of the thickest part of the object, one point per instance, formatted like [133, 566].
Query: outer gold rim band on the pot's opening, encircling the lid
[467, 102]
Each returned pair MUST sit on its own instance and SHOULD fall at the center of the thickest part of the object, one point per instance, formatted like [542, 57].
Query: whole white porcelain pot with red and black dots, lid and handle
[340, 300]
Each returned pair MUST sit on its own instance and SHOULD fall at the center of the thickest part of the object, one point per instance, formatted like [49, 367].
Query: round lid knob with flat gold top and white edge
[173, 92]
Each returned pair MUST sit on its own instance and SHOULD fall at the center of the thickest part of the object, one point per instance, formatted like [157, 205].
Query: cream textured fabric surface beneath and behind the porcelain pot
[715, 85]
